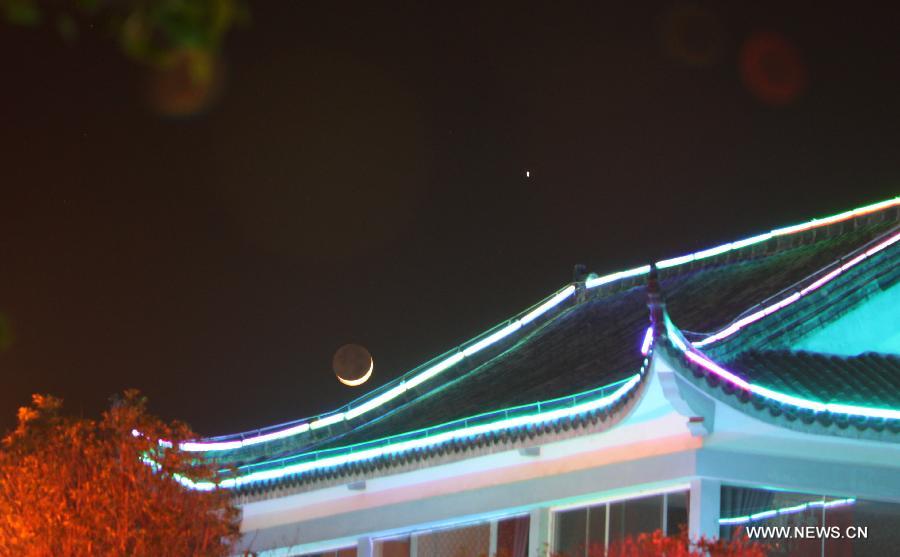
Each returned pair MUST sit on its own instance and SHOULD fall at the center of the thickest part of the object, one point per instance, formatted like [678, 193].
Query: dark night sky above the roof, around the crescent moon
[362, 179]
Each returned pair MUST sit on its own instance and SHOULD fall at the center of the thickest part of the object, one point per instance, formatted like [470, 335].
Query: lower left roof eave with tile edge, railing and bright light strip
[593, 411]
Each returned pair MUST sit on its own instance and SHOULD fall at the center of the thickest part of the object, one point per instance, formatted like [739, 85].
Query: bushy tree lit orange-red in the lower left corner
[74, 486]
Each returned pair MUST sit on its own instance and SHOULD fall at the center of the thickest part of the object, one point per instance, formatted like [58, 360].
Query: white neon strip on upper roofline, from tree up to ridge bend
[393, 392]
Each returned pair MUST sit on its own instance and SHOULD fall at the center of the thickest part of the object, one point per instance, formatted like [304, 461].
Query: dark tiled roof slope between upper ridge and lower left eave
[591, 344]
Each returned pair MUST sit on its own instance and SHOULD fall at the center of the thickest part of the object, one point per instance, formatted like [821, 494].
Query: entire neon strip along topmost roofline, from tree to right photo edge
[302, 426]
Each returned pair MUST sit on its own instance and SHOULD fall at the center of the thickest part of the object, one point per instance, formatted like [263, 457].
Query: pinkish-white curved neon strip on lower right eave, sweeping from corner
[816, 406]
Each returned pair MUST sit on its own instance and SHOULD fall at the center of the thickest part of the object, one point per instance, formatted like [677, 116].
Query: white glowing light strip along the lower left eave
[403, 446]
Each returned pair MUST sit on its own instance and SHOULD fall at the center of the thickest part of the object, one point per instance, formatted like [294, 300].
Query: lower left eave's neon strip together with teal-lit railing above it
[529, 414]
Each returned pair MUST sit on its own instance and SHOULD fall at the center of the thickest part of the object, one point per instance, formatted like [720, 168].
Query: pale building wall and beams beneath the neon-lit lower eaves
[651, 451]
